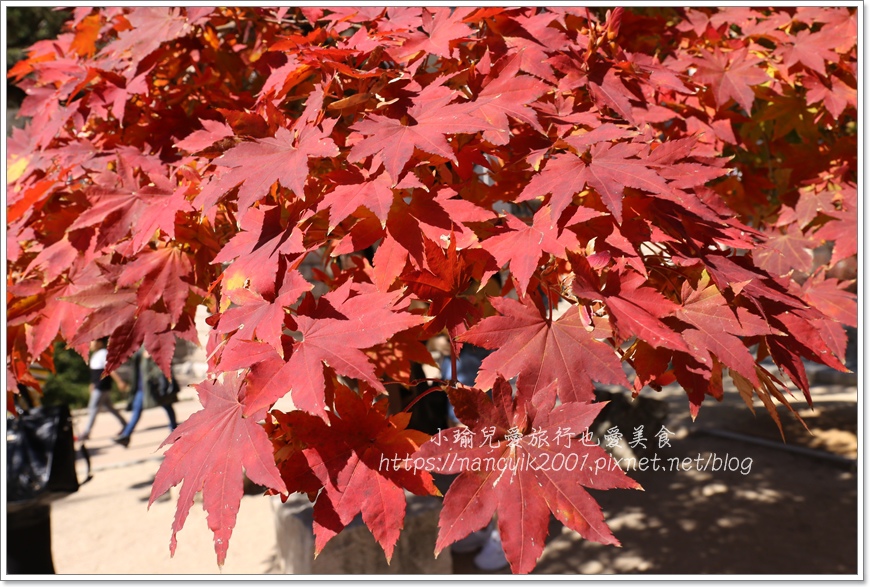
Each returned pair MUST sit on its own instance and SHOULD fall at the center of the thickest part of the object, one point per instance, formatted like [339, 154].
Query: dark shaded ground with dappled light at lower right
[773, 512]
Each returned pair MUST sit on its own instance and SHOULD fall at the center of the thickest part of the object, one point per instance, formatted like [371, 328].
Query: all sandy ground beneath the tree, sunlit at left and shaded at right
[790, 513]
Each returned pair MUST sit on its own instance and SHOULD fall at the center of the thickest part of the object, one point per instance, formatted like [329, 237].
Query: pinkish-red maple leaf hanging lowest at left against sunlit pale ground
[210, 452]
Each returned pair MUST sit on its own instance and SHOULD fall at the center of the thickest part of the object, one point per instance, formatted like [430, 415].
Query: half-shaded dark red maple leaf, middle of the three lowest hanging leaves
[358, 466]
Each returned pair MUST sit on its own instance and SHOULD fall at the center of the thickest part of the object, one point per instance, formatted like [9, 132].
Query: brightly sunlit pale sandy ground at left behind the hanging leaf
[107, 527]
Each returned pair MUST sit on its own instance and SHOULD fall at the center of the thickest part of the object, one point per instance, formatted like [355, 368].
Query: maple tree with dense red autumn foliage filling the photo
[634, 197]
